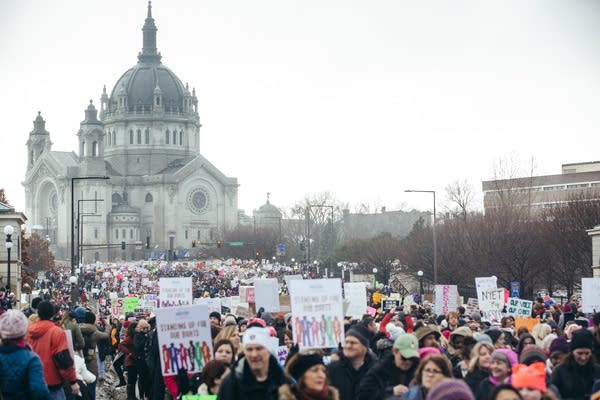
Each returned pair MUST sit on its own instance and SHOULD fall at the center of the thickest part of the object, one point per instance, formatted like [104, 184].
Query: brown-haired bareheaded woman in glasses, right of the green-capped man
[432, 370]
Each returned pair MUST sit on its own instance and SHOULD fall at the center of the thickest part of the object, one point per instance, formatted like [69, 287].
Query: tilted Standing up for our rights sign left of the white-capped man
[184, 338]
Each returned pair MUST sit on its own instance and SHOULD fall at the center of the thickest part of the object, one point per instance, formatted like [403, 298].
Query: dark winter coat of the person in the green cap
[380, 380]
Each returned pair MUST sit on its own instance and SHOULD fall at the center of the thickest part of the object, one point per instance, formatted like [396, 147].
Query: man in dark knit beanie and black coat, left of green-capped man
[354, 363]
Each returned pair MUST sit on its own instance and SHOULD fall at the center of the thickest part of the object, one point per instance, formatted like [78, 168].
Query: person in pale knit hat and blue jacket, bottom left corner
[21, 375]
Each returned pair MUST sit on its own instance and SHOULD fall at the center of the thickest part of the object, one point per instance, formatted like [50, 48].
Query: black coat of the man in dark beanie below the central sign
[345, 378]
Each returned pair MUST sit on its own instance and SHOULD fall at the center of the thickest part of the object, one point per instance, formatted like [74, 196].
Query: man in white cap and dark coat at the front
[256, 376]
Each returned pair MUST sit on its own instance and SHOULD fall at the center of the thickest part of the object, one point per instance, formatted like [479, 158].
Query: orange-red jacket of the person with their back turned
[48, 340]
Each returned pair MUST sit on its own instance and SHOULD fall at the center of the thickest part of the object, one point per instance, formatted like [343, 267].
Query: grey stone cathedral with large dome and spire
[138, 176]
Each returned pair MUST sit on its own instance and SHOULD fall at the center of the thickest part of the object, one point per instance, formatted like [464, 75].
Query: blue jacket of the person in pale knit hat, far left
[21, 374]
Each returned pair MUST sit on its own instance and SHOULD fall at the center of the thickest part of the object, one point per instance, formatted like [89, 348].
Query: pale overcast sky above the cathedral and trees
[360, 98]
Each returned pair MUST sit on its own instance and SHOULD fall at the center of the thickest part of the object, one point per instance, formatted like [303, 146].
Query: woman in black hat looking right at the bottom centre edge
[310, 376]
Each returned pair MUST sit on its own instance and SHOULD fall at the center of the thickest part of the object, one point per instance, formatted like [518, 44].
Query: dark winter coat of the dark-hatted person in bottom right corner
[573, 381]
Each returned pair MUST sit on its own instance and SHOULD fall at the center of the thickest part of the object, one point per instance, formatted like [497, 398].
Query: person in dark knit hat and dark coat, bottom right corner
[575, 376]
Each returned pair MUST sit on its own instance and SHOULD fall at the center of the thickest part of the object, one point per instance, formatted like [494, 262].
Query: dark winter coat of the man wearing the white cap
[241, 384]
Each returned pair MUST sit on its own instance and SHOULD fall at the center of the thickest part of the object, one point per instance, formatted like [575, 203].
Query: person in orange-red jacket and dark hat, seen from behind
[50, 344]
